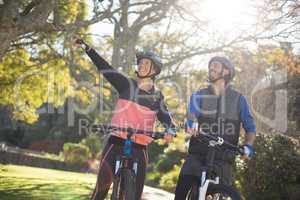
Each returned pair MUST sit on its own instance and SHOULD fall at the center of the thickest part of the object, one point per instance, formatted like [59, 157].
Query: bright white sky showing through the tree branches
[227, 18]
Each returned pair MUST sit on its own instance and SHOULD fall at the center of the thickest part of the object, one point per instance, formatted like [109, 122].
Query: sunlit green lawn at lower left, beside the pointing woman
[29, 183]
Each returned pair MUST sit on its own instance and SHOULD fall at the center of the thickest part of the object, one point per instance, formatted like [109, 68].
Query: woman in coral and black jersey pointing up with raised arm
[138, 106]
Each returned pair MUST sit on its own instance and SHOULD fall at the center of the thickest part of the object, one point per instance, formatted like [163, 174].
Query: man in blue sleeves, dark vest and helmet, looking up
[218, 110]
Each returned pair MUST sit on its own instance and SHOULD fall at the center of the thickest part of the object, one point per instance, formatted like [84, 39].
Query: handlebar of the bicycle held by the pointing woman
[108, 128]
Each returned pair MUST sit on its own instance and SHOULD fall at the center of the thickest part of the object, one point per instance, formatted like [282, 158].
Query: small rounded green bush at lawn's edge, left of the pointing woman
[75, 154]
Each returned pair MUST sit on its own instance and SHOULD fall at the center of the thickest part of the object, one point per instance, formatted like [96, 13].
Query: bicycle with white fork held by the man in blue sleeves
[211, 188]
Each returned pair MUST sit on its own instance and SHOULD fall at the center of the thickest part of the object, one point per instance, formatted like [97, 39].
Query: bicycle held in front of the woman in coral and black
[124, 181]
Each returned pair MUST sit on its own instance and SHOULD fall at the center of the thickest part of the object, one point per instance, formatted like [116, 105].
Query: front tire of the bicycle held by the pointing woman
[124, 186]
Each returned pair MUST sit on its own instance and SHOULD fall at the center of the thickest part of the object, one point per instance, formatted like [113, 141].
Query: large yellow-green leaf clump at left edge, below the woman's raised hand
[26, 85]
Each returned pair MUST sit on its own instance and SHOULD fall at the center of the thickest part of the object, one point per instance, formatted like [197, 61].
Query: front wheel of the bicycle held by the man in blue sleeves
[221, 192]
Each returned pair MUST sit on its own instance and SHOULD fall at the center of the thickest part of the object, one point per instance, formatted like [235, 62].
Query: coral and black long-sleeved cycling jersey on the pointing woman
[135, 108]
